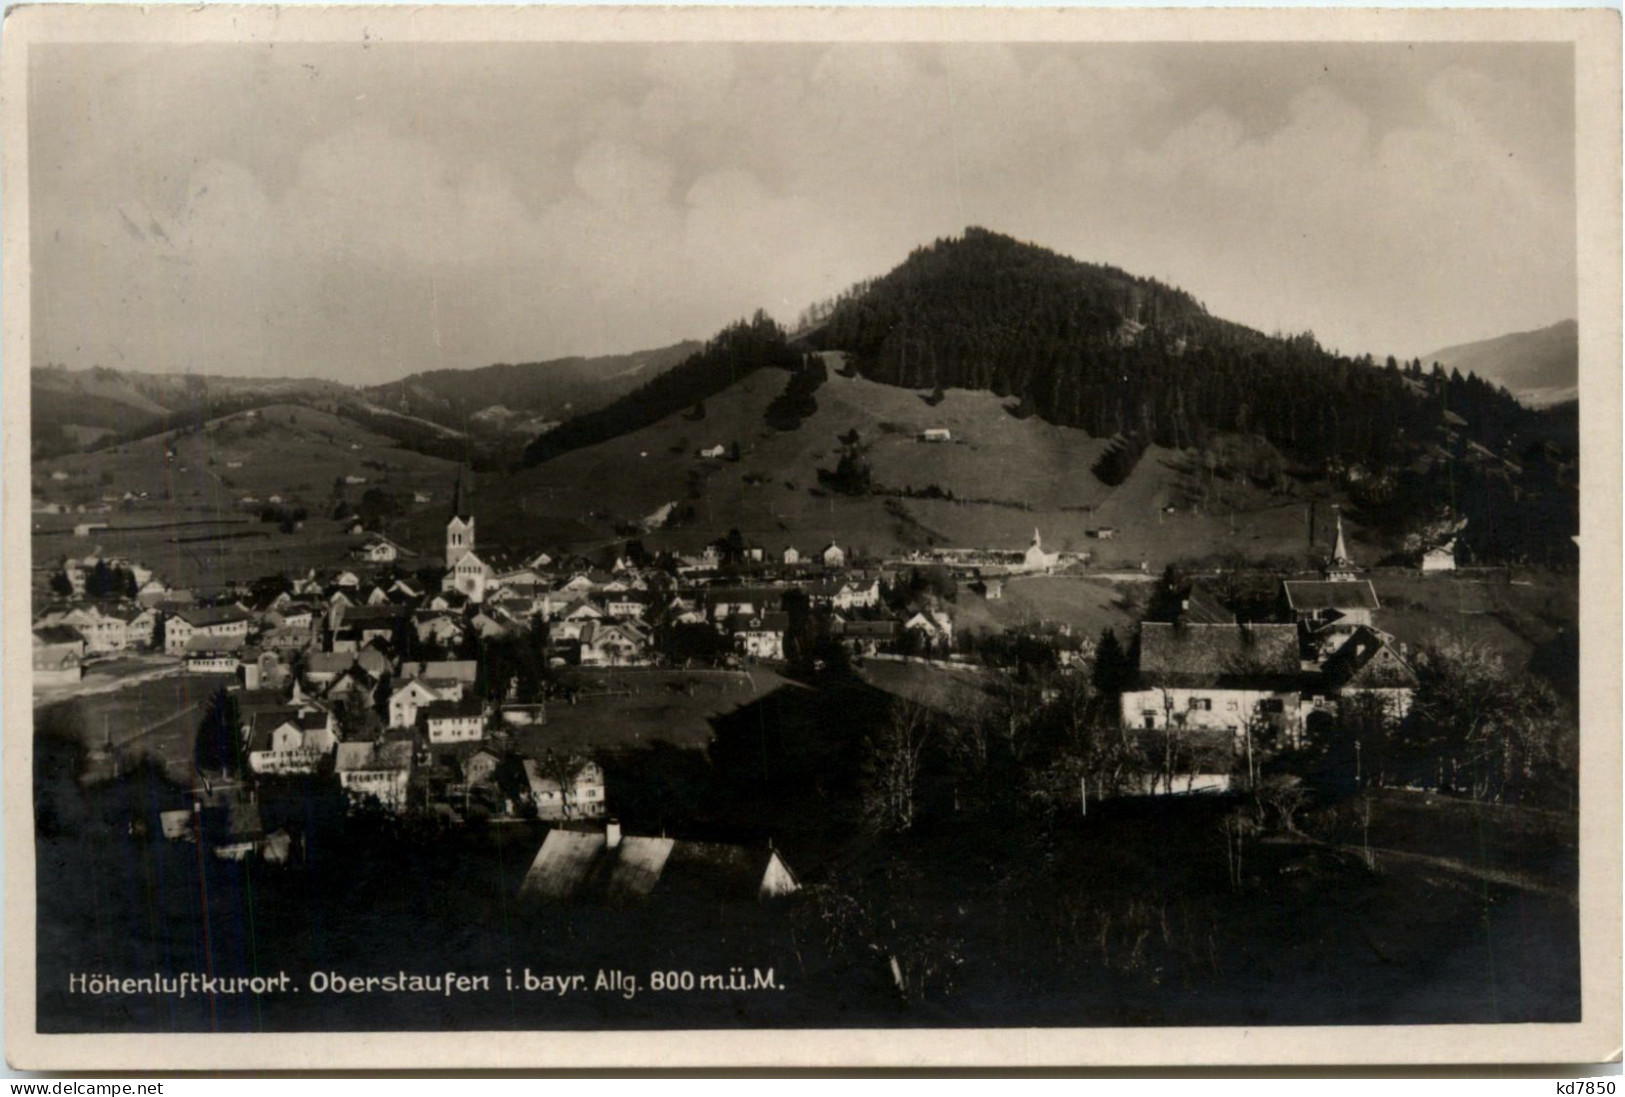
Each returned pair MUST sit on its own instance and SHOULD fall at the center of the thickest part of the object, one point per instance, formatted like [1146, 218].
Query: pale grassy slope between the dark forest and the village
[1007, 475]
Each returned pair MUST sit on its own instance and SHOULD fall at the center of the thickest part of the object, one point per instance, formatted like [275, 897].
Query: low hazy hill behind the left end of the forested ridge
[526, 397]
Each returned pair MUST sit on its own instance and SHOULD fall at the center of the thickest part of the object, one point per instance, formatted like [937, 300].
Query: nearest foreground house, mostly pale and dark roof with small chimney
[623, 872]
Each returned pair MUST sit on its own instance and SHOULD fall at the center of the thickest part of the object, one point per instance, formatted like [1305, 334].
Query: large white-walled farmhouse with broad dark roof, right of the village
[1216, 679]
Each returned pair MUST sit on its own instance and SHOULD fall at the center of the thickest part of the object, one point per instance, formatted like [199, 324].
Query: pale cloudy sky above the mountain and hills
[362, 214]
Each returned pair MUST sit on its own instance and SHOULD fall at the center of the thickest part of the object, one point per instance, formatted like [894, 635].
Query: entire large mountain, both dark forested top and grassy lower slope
[1140, 371]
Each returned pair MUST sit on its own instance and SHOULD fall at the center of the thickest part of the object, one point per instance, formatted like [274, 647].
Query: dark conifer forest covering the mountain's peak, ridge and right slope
[1145, 365]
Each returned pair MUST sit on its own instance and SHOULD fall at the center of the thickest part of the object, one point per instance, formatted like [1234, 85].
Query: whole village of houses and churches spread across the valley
[425, 687]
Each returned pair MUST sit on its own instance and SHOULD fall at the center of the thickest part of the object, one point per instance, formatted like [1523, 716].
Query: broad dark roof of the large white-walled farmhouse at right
[1263, 656]
